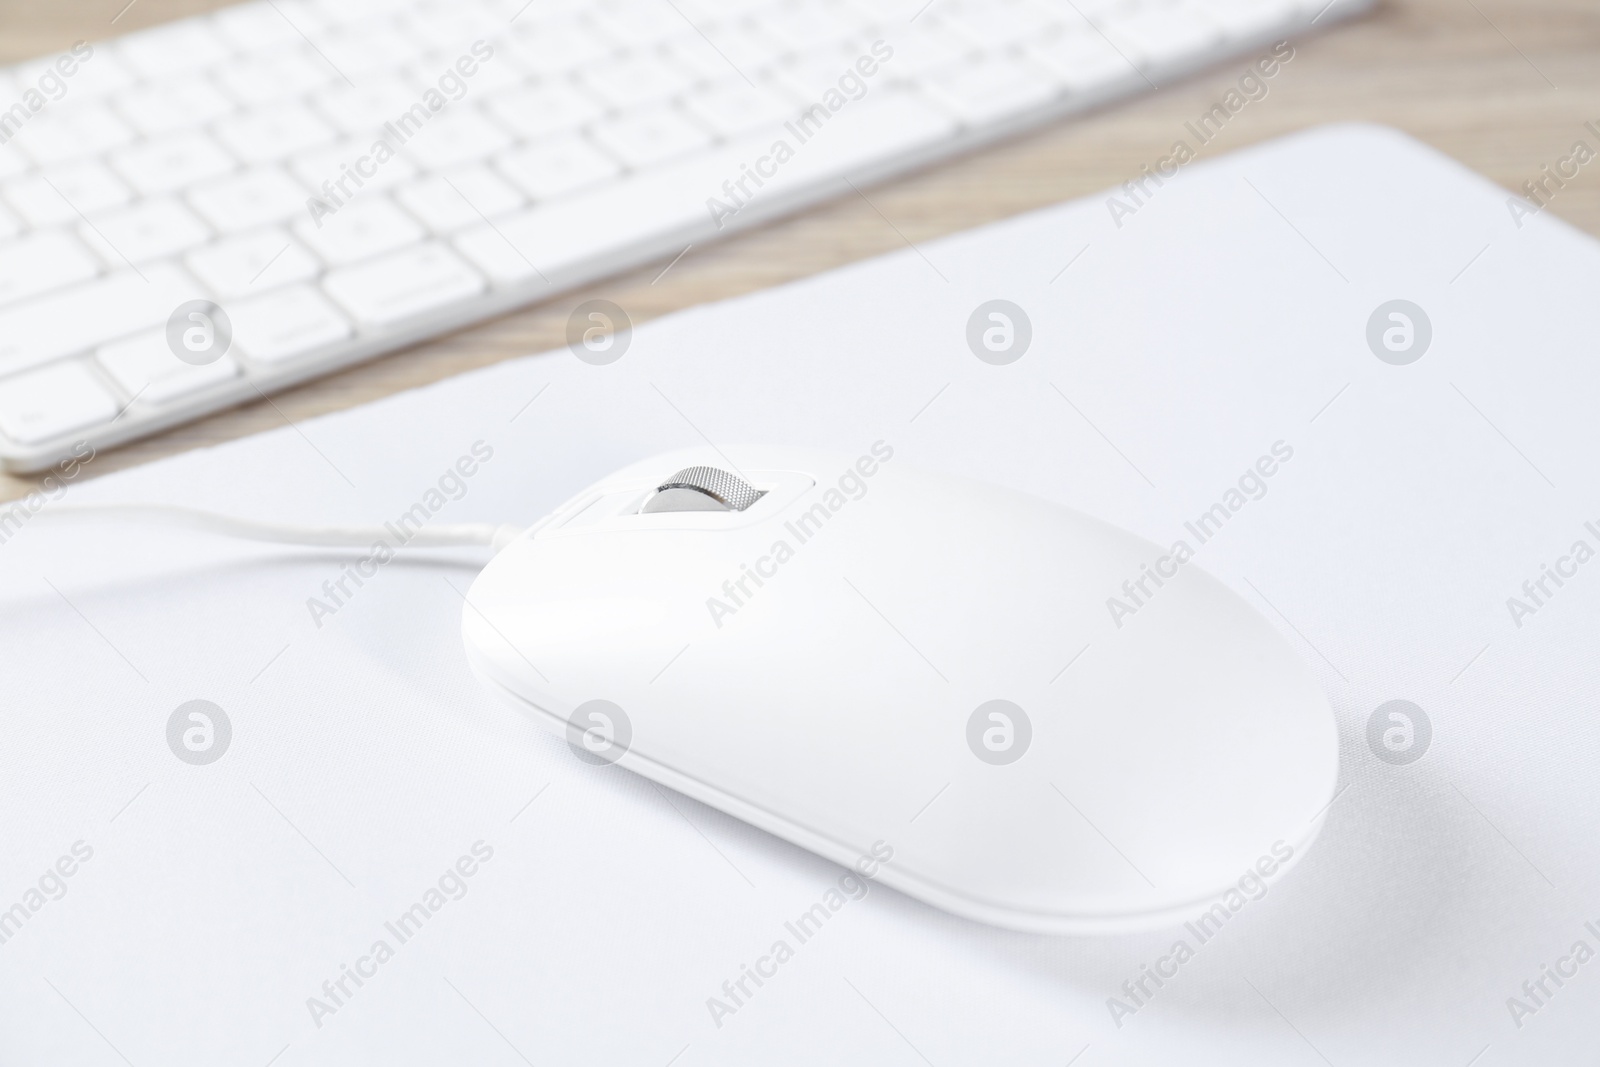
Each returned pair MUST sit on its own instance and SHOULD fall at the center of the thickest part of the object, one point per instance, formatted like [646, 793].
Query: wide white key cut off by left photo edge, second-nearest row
[86, 316]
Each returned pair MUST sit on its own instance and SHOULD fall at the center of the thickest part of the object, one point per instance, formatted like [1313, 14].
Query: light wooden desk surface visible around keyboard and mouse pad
[1503, 86]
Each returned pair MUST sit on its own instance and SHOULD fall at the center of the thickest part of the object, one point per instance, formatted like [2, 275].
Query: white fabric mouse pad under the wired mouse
[366, 858]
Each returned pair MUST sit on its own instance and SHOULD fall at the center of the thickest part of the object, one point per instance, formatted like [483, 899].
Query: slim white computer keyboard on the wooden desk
[162, 255]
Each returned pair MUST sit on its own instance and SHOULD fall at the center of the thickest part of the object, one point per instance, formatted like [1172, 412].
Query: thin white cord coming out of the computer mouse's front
[492, 535]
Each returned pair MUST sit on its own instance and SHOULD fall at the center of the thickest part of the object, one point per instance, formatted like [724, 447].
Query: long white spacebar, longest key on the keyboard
[679, 199]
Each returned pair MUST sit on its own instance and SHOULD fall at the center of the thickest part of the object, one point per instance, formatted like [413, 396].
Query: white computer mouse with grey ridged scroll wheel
[922, 676]
